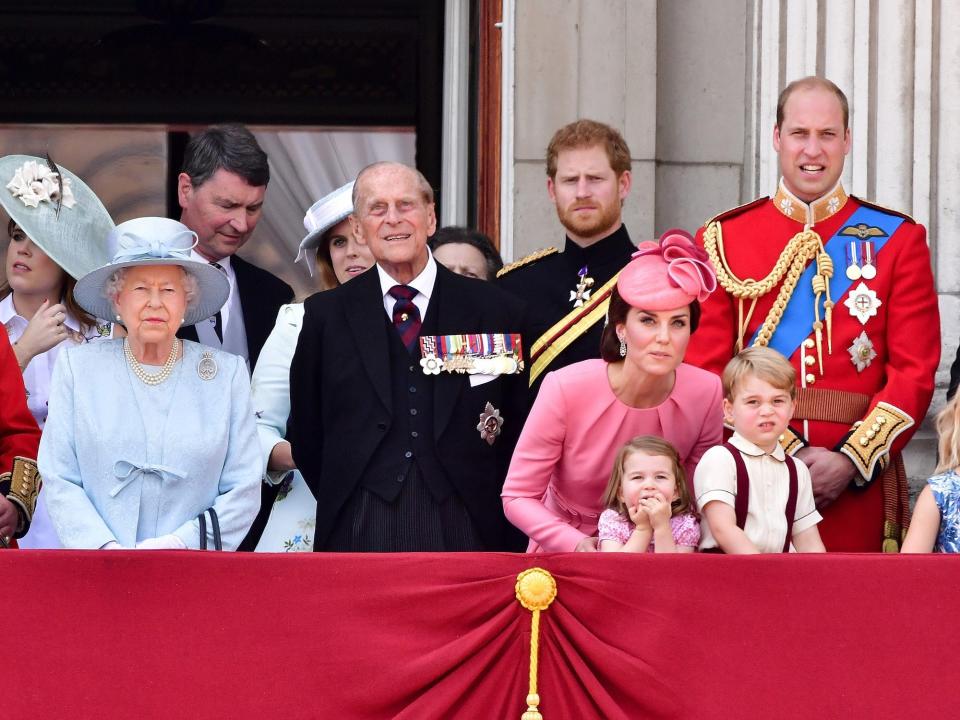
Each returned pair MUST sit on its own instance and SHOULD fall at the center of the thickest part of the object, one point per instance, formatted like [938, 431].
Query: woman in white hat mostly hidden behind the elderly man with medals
[331, 247]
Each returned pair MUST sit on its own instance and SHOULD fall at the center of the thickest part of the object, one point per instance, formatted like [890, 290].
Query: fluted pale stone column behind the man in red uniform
[901, 75]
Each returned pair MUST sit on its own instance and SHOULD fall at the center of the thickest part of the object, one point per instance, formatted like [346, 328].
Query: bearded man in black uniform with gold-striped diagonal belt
[567, 293]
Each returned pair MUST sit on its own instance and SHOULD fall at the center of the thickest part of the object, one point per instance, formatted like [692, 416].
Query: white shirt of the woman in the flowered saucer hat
[36, 380]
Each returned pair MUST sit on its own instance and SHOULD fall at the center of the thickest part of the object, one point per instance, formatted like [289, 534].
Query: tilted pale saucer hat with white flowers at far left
[70, 227]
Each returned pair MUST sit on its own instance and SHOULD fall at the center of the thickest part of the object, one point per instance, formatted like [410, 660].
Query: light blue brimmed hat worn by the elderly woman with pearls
[154, 241]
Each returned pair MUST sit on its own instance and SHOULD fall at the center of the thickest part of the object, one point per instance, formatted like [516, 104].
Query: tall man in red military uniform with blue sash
[844, 290]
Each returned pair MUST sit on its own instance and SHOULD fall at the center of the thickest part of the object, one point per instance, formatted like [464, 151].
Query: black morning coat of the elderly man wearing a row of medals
[340, 397]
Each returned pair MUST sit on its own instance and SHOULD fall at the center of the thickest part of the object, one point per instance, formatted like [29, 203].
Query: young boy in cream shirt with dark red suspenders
[755, 498]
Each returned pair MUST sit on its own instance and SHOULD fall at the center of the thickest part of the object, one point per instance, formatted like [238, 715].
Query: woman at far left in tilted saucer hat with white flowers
[56, 233]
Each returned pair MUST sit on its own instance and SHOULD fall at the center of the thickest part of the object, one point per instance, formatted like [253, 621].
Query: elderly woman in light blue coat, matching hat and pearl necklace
[147, 434]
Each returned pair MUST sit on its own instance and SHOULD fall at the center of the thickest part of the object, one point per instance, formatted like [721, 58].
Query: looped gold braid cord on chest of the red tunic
[802, 248]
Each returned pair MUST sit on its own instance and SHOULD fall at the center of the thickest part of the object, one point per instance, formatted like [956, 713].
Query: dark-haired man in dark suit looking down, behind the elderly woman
[221, 189]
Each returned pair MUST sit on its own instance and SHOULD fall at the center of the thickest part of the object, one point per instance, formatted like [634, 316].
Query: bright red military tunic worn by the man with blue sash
[905, 335]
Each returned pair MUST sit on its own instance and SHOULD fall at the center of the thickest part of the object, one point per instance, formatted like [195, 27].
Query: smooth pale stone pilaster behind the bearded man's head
[574, 59]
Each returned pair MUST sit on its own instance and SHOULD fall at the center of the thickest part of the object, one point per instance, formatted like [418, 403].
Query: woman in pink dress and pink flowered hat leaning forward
[587, 411]
